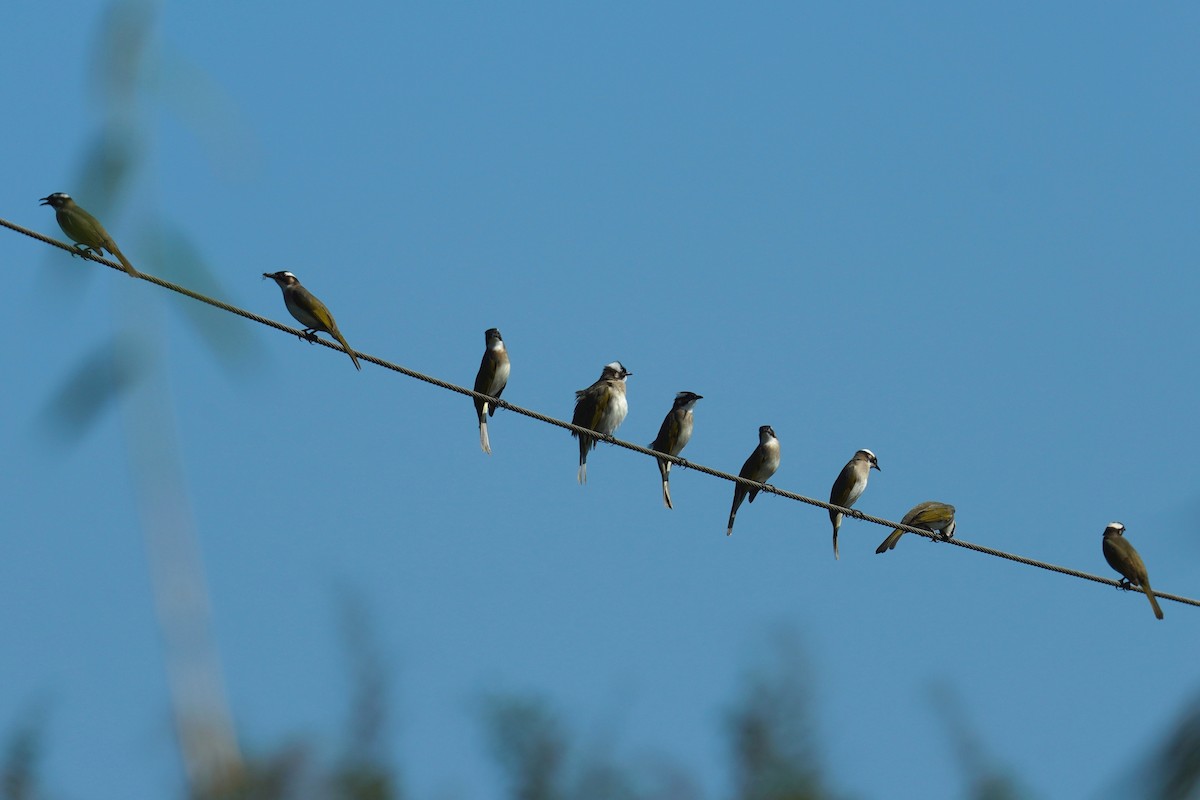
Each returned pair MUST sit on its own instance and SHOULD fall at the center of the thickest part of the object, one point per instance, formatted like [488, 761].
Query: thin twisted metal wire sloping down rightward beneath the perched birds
[628, 446]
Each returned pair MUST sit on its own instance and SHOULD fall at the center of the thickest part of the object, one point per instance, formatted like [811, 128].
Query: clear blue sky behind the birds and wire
[962, 237]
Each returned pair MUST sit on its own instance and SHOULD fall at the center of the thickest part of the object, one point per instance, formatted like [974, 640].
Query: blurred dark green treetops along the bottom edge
[772, 737]
